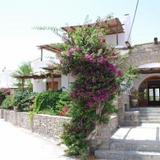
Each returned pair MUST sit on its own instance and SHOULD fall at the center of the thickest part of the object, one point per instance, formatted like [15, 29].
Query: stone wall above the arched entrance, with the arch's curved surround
[143, 54]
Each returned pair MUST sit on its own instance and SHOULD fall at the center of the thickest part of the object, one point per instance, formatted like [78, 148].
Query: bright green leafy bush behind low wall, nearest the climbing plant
[47, 102]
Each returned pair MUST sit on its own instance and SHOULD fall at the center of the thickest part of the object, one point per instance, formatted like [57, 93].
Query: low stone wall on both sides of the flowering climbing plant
[52, 126]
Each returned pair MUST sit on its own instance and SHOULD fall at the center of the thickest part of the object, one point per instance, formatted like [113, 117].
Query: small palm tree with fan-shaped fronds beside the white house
[23, 70]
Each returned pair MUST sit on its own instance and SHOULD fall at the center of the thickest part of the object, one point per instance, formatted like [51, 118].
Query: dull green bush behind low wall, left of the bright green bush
[24, 100]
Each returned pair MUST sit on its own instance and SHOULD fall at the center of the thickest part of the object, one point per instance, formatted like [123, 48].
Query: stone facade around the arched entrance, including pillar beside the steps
[137, 56]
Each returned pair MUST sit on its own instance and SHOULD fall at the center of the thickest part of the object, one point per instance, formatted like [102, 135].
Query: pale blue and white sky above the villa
[19, 41]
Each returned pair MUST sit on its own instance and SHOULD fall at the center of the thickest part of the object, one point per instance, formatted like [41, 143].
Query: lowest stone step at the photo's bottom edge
[126, 155]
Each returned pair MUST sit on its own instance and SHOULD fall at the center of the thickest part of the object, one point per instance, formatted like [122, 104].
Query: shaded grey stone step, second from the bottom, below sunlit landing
[134, 145]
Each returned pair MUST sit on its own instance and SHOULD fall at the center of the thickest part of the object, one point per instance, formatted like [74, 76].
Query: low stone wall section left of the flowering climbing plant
[46, 125]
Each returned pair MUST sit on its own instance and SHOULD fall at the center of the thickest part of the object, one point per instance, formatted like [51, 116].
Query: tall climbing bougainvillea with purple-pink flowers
[99, 77]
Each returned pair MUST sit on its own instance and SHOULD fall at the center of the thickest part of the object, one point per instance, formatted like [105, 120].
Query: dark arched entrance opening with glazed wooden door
[149, 92]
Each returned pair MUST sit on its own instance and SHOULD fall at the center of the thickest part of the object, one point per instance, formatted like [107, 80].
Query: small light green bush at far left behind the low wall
[8, 102]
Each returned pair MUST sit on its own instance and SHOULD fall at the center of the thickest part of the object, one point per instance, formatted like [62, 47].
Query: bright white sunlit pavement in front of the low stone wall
[20, 144]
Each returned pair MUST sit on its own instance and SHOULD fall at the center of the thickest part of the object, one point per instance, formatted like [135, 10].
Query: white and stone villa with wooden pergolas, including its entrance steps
[140, 104]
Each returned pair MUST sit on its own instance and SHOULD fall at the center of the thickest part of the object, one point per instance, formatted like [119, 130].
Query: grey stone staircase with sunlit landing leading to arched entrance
[135, 143]
